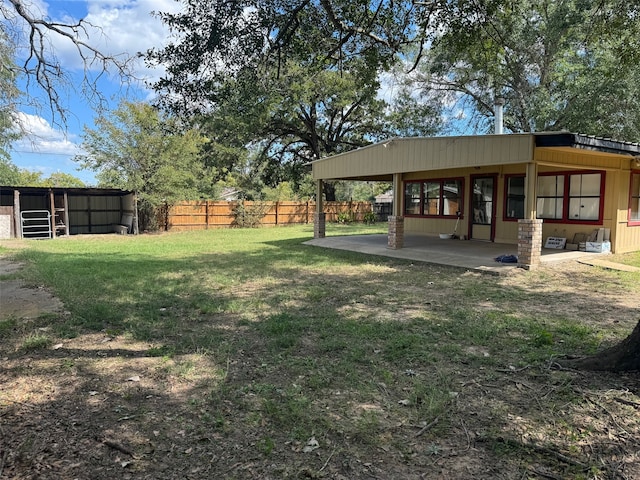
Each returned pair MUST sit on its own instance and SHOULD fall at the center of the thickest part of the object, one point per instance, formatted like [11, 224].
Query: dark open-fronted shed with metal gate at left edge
[43, 212]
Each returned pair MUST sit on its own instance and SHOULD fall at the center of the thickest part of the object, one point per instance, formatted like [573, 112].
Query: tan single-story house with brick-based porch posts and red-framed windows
[516, 188]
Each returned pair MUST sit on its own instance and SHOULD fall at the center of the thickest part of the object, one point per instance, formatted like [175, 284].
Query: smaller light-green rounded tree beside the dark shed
[137, 148]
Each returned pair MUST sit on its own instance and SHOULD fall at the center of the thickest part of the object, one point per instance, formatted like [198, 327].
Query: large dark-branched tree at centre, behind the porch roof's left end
[310, 94]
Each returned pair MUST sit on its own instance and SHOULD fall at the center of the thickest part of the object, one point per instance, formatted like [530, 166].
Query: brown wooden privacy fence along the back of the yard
[201, 215]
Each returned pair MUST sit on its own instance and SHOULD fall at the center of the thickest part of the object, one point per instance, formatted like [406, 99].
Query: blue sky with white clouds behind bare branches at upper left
[126, 27]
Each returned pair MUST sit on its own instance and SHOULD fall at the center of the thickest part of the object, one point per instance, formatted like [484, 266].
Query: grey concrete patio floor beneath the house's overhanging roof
[469, 254]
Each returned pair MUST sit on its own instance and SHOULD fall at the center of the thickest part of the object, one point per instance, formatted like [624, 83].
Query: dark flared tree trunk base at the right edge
[624, 356]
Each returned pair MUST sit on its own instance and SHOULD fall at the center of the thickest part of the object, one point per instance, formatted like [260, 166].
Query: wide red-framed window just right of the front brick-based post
[571, 197]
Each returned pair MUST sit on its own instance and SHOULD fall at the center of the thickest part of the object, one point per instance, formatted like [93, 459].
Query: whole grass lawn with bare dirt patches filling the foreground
[242, 353]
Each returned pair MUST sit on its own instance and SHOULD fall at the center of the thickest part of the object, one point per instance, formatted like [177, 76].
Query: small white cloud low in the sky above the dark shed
[41, 137]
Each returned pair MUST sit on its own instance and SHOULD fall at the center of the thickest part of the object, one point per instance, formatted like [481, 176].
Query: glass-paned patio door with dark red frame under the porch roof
[483, 208]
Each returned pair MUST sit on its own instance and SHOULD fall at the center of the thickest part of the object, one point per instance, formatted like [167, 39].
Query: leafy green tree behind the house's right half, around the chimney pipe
[558, 65]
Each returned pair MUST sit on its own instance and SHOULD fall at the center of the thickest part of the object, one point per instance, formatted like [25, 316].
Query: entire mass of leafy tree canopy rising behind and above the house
[300, 80]
